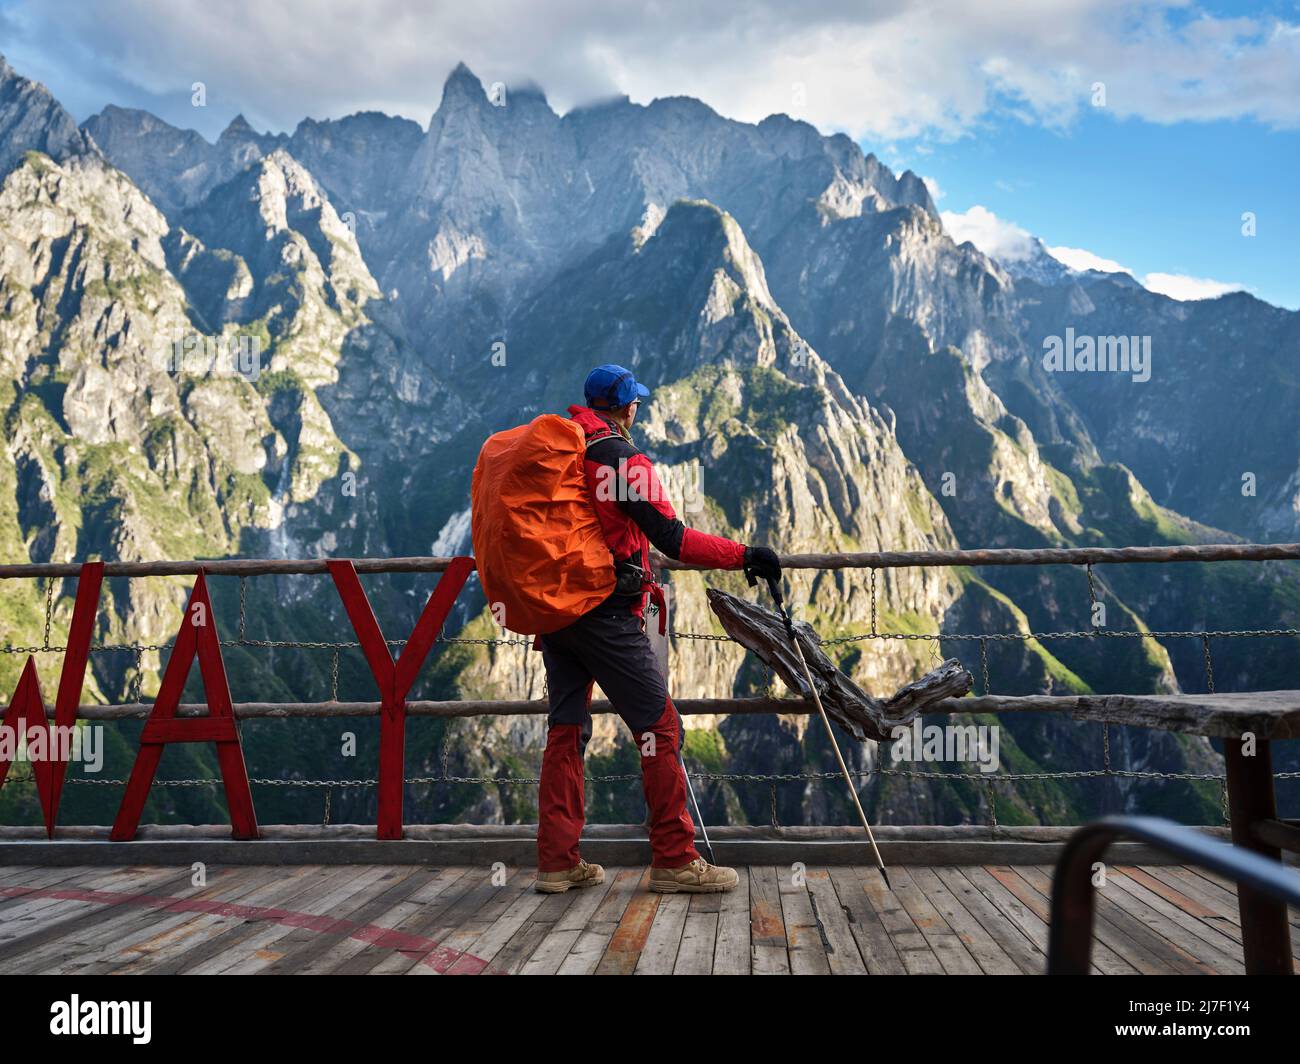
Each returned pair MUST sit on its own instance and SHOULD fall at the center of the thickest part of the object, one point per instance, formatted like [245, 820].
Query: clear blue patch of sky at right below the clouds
[1151, 198]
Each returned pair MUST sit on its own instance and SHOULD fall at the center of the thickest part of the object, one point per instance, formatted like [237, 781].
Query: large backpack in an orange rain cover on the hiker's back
[541, 553]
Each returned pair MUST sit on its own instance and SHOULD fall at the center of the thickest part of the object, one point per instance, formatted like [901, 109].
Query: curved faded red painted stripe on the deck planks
[434, 954]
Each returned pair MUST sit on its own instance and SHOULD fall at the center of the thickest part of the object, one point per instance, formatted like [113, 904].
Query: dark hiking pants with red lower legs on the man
[613, 651]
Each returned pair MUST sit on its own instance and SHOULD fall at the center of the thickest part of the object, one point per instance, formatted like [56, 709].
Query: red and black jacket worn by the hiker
[635, 511]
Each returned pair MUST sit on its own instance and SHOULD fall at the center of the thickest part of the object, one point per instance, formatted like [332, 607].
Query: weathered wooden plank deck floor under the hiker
[419, 920]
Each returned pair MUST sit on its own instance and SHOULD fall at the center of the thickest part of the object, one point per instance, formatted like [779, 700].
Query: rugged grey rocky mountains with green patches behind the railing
[296, 344]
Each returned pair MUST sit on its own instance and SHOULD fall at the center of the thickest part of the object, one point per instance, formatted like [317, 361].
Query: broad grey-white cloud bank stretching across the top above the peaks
[878, 70]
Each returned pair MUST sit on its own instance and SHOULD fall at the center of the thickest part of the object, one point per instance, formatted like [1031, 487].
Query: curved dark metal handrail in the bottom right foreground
[1074, 898]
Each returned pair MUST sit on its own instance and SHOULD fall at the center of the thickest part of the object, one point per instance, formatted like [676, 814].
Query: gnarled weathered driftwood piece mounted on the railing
[852, 708]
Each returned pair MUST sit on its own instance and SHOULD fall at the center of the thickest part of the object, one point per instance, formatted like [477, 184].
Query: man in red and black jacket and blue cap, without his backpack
[609, 646]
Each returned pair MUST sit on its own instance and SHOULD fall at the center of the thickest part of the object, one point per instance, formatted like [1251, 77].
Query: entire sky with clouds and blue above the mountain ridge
[993, 102]
